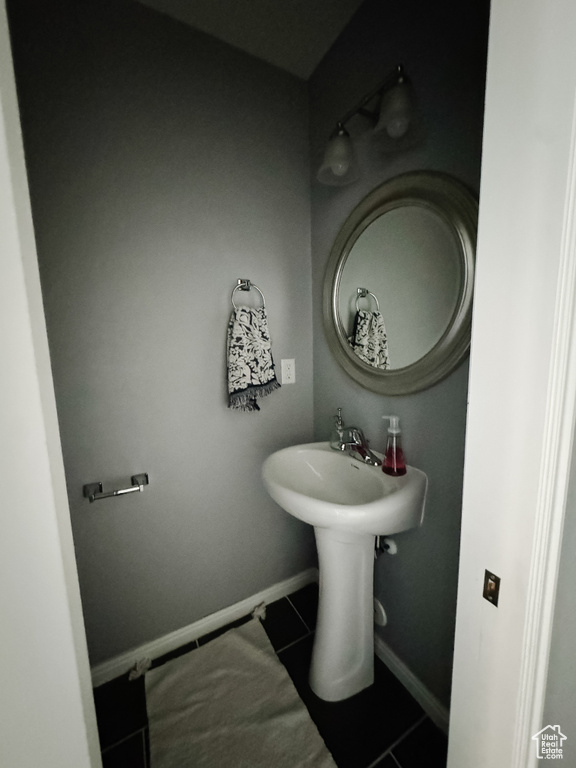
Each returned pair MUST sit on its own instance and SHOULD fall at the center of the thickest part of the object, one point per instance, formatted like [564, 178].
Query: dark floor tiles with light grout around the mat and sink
[381, 727]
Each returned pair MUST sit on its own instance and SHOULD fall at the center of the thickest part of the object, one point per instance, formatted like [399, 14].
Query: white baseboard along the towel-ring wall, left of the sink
[119, 665]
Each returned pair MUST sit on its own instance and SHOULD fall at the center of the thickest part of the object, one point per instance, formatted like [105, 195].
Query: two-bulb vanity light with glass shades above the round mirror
[393, 120]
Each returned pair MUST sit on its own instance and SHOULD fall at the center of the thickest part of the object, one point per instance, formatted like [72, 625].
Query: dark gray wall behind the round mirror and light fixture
[443, 48]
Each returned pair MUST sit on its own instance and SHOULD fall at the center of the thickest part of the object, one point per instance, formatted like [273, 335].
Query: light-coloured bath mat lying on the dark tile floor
[230, 704]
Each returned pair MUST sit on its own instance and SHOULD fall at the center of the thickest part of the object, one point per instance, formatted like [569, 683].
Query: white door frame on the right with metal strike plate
[522, 385]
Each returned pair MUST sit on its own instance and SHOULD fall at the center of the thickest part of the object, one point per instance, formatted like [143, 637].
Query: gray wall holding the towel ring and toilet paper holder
[164, 165]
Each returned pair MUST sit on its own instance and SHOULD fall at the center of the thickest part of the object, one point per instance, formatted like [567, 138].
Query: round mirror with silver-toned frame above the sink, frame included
[399, 283]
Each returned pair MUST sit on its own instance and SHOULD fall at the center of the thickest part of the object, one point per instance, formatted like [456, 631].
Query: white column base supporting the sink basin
[343, 652]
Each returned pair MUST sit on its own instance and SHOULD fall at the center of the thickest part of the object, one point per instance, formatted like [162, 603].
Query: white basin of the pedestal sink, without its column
[330, 489]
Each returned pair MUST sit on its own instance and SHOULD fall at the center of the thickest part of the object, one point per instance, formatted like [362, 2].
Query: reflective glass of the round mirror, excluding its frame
[399, 286]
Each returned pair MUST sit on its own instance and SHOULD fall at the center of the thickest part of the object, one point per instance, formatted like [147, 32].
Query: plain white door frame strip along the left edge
[48, 714]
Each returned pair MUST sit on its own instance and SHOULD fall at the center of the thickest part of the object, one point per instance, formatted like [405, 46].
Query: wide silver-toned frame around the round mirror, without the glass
[458, 207]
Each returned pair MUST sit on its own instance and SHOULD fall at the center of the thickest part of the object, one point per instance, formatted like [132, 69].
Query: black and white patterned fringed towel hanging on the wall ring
[251, 372]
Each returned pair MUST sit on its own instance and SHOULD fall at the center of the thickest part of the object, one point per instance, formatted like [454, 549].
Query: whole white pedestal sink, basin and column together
[349, 504]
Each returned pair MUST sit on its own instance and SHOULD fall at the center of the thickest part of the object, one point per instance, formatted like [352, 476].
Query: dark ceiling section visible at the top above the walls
[291, 34]
